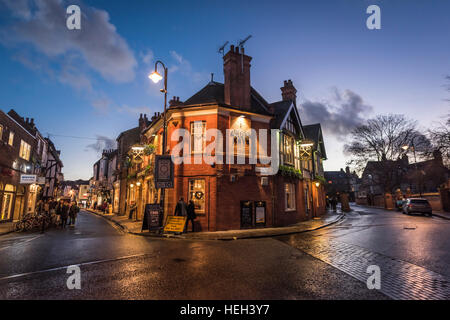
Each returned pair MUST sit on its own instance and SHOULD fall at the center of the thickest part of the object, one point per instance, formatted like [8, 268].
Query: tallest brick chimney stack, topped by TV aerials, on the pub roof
[236, 68]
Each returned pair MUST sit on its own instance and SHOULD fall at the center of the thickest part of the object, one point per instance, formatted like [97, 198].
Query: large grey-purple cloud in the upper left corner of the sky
[43, 25]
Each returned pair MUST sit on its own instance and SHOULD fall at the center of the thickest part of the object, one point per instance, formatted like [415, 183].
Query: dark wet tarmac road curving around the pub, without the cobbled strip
[115, 265]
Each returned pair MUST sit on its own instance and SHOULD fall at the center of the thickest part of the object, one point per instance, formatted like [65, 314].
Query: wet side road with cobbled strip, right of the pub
[412, 252]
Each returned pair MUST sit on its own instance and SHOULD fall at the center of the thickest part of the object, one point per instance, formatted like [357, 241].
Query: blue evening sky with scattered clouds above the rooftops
[74, 85]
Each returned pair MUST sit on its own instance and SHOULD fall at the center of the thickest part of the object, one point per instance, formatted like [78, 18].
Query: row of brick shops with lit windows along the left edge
[30, 168]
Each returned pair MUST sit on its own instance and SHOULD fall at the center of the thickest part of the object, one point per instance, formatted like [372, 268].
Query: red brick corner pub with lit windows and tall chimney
[237, 196]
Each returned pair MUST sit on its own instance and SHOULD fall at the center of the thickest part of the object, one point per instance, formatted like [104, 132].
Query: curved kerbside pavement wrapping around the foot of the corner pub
[134, 227]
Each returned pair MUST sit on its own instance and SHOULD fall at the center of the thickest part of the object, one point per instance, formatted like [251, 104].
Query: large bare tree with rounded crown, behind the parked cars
[384, 139]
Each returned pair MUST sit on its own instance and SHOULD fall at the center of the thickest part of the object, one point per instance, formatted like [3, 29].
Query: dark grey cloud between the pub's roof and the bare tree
[340, 115]
